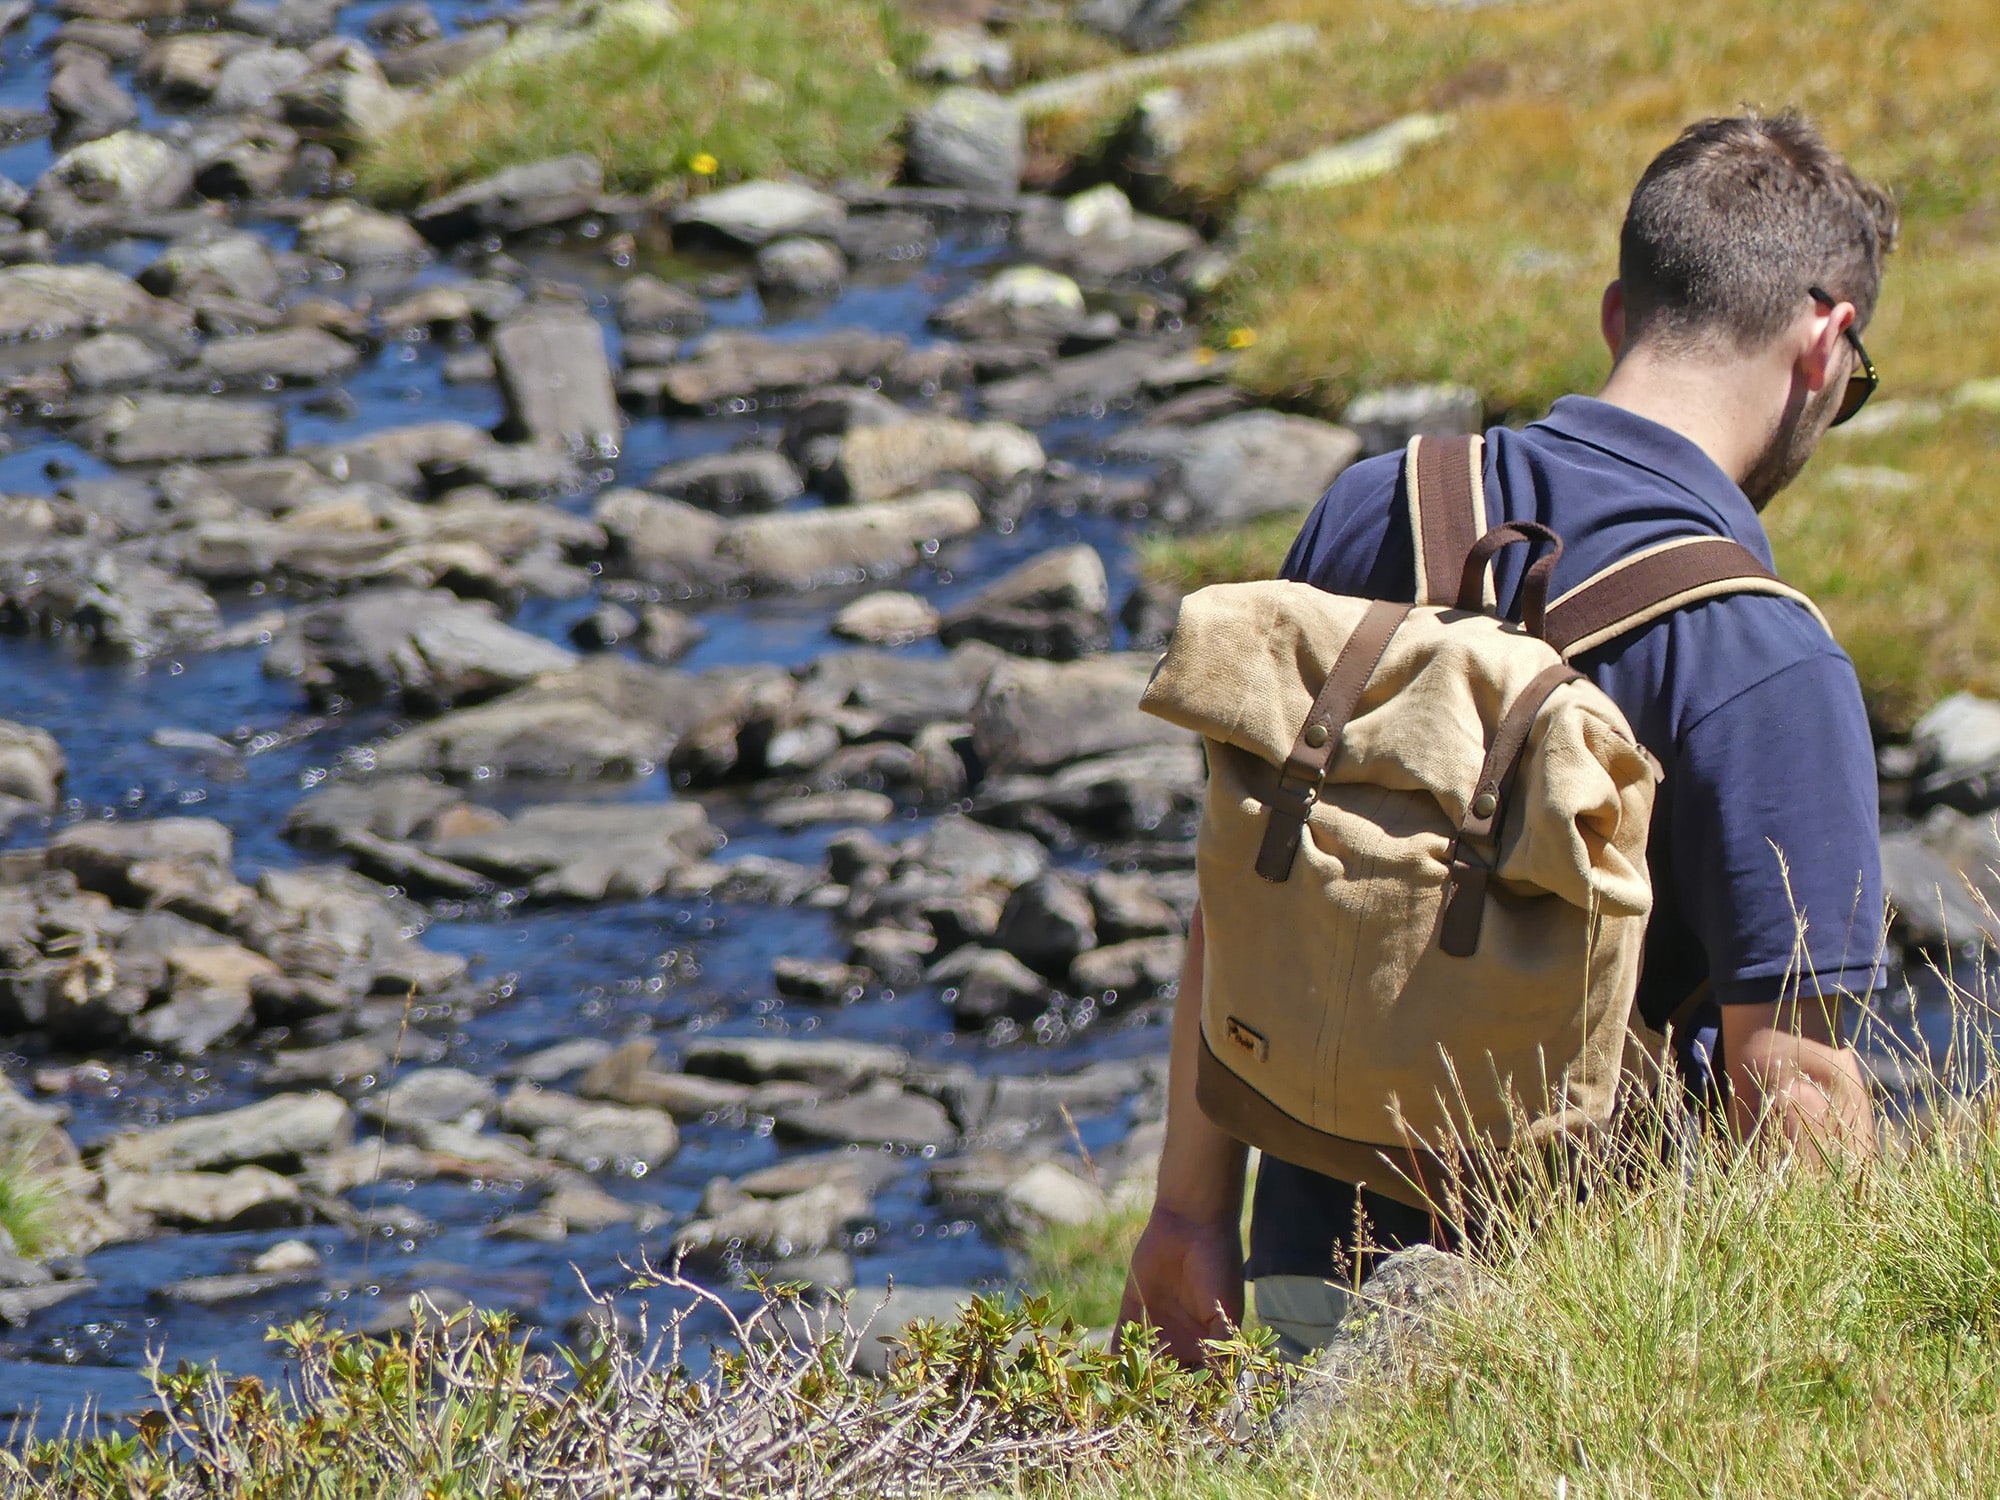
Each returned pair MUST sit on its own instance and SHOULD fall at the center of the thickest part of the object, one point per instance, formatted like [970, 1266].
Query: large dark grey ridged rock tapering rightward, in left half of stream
[427, 647]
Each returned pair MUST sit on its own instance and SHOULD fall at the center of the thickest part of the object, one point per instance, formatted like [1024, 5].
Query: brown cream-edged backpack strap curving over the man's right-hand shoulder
[1659, 581]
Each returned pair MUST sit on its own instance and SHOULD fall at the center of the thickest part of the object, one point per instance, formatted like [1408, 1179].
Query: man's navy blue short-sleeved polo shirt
[1765, 841]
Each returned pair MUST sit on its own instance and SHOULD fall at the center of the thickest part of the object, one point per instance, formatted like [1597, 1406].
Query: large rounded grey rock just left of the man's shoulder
[1253, 465]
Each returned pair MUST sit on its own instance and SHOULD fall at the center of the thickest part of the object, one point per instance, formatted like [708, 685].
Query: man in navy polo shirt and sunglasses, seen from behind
[1751, 261]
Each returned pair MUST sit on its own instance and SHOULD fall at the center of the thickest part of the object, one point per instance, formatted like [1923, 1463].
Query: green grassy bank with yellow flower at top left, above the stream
[757, 87]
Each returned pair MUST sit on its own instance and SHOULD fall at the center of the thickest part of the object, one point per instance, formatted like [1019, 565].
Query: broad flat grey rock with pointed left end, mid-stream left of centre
[589, 853]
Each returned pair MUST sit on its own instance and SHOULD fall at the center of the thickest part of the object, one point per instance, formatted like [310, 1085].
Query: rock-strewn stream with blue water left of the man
[559, 727]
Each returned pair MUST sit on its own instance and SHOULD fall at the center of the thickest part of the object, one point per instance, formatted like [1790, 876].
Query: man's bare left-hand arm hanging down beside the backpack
[1189, 1273]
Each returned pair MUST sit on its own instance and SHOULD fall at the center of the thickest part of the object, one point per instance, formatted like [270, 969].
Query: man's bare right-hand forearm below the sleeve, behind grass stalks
[1791, 1075]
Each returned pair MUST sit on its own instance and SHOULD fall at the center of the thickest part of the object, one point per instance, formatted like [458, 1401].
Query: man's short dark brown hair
[1737, 219]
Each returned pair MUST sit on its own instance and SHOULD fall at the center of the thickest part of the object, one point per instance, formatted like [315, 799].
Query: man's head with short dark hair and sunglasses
[1727, 235]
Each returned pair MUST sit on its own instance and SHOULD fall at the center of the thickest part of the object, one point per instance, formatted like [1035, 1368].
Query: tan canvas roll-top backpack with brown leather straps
[1423, 853]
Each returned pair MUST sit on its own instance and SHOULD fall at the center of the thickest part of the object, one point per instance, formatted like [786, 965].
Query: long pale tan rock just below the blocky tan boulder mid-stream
[837, 545]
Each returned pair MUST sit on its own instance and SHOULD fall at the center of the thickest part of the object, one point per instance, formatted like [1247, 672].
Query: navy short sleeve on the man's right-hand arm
[1777, 837]
